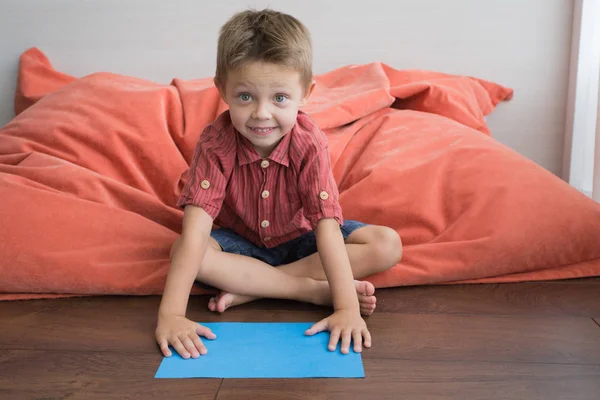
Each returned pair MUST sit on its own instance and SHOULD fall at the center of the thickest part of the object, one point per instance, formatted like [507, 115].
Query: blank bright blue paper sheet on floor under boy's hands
[264, 350]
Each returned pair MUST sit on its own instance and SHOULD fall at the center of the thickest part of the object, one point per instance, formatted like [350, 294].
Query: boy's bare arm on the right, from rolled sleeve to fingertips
[345, 323]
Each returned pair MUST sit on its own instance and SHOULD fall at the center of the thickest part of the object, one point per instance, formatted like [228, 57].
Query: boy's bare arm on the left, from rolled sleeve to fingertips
[173, 328]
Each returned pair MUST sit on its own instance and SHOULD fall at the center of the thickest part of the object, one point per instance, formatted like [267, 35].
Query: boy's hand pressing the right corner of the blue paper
[345, 323]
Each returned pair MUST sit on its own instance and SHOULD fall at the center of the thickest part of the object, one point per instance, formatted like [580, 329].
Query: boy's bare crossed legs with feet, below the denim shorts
[371, 249]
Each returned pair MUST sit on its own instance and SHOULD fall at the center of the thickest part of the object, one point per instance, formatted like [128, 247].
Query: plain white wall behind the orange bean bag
[523, 44]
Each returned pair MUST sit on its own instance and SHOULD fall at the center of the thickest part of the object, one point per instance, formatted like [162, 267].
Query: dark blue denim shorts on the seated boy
[284, 253]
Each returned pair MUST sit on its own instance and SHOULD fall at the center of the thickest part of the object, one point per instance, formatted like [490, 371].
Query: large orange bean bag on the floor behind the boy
[90, 170]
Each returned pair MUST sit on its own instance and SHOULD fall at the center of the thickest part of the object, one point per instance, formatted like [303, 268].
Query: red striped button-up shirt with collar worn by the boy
[268, 201]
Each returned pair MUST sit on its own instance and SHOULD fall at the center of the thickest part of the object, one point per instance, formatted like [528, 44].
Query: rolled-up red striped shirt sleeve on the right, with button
[318, 190]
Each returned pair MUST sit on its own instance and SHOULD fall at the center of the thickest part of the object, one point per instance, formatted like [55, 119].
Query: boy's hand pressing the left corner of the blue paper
[182, 334]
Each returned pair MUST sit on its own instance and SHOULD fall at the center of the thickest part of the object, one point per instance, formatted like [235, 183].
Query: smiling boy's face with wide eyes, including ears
[263, 101]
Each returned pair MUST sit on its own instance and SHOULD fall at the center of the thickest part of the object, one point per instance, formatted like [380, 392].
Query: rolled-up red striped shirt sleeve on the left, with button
[206, 179]
